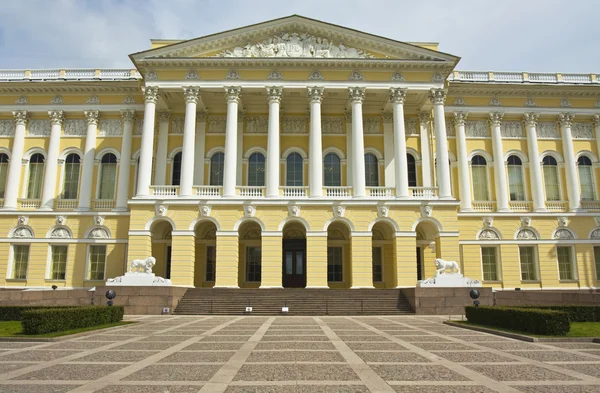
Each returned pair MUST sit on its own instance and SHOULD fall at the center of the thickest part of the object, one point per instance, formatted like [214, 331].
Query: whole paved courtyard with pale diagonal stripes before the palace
[296, 354]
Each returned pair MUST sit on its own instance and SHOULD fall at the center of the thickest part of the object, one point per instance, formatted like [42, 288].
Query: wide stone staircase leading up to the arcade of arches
[221, 301]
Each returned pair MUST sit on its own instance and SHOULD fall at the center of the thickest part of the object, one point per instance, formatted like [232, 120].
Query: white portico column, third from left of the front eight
[232, 94]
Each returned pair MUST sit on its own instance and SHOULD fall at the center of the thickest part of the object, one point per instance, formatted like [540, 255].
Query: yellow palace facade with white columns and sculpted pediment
[296, 153]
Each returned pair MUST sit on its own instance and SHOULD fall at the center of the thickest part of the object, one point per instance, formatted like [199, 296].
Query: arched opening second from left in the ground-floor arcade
[206, 254]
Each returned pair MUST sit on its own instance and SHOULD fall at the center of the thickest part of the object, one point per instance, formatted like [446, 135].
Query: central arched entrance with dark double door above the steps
[294, 255]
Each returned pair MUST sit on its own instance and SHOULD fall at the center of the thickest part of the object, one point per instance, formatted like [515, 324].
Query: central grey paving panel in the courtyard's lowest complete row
[293, 372]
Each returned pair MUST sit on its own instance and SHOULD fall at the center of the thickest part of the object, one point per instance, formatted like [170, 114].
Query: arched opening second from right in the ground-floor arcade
[384, 268]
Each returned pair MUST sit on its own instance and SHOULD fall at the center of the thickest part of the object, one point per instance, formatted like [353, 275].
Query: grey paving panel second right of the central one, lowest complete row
[519, 372]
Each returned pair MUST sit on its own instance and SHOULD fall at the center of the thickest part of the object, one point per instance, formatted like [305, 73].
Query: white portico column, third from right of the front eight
[357, 95]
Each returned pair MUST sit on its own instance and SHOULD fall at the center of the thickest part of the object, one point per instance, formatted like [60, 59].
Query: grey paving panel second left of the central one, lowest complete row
[72, 372]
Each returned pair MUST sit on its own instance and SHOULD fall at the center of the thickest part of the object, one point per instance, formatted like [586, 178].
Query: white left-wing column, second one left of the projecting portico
[89, 155]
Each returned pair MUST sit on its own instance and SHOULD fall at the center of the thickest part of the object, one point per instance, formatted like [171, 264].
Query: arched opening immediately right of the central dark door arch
[339, 267]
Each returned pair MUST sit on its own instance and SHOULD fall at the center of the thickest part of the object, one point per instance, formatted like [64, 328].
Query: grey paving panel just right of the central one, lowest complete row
[417, 373]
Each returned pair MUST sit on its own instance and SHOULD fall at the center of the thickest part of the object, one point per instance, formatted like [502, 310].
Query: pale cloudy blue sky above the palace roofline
[489, 35]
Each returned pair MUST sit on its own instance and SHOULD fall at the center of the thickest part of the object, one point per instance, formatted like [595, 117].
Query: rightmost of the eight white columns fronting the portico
[438, 97]
